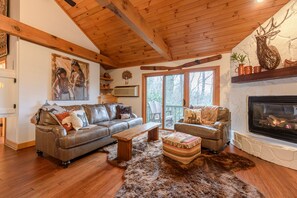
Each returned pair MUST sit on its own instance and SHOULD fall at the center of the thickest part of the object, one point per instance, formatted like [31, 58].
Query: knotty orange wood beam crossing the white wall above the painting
[31, 34]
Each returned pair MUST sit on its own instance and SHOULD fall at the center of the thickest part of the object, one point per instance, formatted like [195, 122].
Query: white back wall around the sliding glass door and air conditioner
[224, 64]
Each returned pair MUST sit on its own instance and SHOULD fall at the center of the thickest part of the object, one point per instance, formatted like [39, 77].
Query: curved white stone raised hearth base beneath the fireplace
[269, 149]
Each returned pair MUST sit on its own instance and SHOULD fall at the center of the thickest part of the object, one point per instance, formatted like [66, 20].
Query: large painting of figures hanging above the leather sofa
[70, 79]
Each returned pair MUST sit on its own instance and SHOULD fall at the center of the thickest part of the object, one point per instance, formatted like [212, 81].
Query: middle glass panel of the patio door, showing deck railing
[174, 99]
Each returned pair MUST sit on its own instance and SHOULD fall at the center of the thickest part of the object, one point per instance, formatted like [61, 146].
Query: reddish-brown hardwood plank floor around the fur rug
[23, 174]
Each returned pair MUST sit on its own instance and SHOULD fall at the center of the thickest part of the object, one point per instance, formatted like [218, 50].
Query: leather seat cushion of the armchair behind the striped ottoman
[202, 131]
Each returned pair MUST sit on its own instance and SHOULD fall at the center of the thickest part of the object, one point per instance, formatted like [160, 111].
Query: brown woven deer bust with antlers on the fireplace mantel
[268, 55]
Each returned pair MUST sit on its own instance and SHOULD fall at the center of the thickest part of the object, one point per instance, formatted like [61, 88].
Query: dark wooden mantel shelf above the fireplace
[266, 75]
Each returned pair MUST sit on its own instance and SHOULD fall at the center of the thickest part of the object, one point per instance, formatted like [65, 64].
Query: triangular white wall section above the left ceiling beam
[47, 16]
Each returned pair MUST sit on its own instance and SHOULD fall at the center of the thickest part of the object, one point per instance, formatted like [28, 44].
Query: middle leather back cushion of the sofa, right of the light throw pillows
[96, 113]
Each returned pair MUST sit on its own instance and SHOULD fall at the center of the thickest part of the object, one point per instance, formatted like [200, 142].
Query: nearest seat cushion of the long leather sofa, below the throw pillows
[83, 136]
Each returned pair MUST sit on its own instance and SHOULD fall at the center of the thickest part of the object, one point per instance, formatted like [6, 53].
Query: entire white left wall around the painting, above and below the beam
[33, 63]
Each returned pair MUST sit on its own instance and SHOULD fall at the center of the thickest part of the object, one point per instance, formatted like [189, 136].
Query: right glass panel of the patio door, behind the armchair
[201, 88]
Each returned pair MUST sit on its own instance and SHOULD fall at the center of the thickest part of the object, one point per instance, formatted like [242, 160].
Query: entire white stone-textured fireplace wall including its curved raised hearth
[273, 150]
